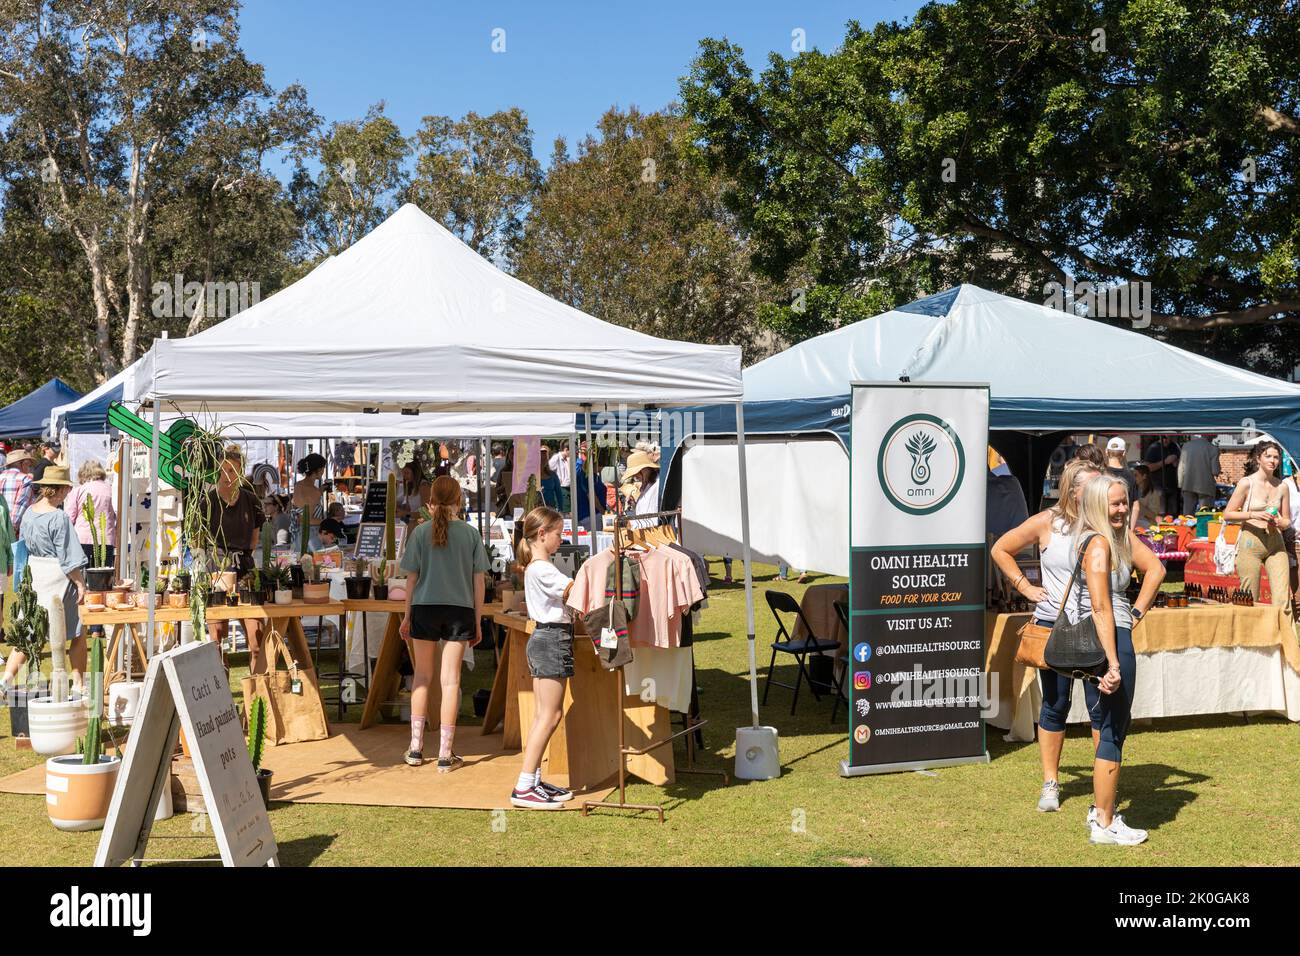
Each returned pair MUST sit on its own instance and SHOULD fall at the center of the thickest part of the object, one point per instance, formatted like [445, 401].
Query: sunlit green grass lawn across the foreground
[1212, 791]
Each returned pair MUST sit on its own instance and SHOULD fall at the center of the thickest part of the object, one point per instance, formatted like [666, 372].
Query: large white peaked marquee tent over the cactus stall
[411, 319]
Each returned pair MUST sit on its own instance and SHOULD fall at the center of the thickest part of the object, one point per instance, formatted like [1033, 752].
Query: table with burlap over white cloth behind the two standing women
[1201, 660]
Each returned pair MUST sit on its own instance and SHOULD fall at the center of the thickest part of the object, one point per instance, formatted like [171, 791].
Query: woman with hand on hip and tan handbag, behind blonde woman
[1051, 531]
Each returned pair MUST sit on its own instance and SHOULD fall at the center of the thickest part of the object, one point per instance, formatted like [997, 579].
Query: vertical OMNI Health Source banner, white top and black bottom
[917, 487]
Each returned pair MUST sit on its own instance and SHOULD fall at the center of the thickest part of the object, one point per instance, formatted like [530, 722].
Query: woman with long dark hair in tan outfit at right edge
[1262, 504]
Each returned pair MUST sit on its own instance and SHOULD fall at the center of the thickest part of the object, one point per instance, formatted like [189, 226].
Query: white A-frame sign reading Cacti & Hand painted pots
[187, 690]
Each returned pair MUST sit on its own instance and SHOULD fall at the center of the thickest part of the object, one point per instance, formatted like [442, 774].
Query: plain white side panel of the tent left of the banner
[799, 501]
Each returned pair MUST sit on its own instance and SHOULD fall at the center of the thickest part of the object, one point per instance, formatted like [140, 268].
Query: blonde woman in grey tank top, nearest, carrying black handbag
[1111, 553]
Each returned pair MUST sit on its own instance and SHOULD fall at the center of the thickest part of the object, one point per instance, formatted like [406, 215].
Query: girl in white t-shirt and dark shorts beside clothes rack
[551, 654]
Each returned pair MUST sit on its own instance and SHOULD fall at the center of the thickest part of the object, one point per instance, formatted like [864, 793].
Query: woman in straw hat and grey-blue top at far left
[50, 534]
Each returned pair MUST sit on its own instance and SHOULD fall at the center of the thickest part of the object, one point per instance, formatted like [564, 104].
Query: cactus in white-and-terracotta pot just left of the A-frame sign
[80, 788]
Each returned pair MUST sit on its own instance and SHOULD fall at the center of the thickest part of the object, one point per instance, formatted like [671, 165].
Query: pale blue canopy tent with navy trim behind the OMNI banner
[1051, 374]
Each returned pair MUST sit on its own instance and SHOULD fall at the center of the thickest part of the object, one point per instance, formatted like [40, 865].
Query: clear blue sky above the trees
[565, 63]
